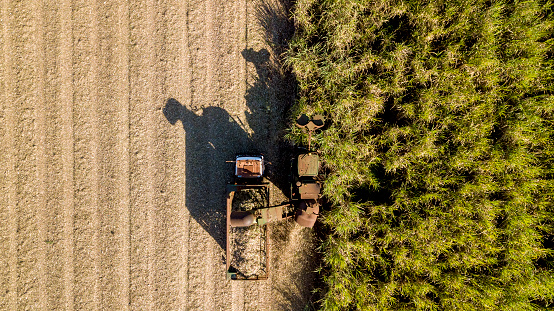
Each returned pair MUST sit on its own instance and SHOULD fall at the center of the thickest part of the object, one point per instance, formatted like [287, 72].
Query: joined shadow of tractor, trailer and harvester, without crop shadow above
[213, 136]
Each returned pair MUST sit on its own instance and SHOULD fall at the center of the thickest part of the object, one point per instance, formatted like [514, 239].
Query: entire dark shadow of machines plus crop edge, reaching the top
[213, 136]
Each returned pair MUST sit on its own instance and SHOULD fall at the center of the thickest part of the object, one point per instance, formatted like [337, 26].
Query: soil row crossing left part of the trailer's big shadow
[198, 191]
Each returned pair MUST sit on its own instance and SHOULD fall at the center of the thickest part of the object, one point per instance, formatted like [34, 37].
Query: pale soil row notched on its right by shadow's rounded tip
[168, 180]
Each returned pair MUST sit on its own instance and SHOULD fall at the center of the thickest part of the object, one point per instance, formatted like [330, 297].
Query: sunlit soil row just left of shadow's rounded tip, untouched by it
[142, 177]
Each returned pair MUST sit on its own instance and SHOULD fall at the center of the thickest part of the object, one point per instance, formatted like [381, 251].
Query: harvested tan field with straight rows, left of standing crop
[116, 121]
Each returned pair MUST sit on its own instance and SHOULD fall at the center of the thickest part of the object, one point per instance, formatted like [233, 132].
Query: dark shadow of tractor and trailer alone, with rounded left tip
[212, 138]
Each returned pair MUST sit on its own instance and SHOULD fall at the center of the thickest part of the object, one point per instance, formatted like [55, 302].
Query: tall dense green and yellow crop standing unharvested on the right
[440, 149]
